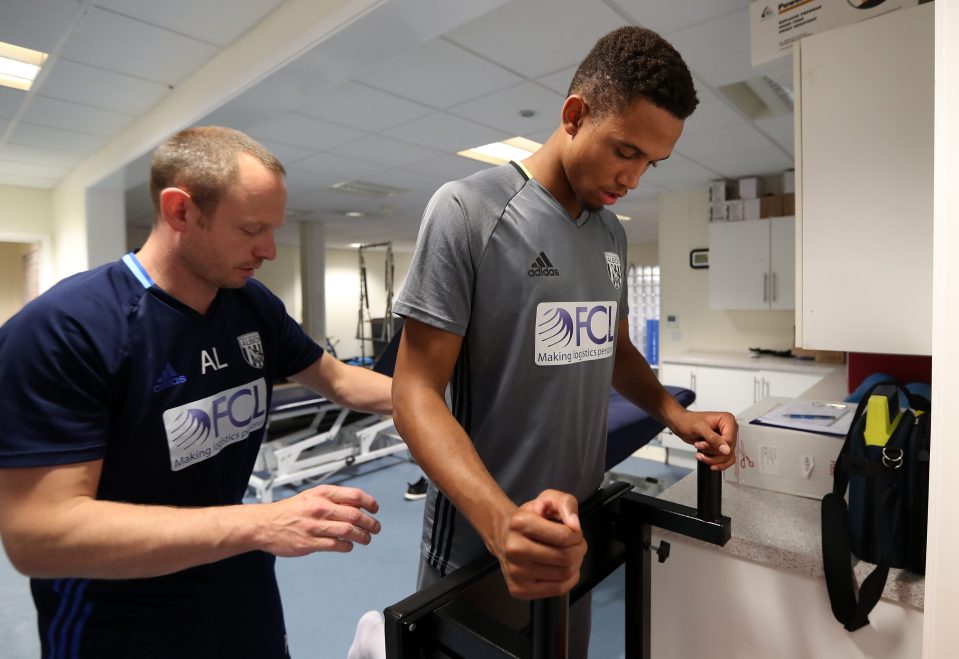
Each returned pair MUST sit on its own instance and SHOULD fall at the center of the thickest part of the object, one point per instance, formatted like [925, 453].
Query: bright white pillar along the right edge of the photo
[940, 632]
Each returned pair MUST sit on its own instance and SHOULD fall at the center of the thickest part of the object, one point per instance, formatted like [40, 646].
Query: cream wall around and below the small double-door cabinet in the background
[683, 225]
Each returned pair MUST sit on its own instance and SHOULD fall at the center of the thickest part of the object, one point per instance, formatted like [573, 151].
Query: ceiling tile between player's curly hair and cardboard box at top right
[717, 51]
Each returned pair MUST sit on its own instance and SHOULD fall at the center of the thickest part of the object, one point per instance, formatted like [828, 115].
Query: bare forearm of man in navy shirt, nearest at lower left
[89, 538]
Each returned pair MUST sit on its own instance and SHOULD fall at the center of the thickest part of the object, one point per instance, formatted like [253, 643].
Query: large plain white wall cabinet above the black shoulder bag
[864, 184]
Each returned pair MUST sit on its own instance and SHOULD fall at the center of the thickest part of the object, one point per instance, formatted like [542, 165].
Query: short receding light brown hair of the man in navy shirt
[203, 160]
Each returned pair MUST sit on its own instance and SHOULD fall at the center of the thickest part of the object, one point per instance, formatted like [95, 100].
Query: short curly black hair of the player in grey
[633, 62]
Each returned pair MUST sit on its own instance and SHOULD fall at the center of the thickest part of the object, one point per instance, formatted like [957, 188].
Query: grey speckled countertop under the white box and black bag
[782, 531]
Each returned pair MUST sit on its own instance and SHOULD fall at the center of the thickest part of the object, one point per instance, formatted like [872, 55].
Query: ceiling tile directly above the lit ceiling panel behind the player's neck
[501, 109]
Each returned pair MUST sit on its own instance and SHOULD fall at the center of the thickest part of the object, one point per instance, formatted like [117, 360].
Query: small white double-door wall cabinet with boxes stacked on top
[752, 264]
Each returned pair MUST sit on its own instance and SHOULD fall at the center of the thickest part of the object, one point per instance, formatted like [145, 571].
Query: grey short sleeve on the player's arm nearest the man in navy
[439, 287]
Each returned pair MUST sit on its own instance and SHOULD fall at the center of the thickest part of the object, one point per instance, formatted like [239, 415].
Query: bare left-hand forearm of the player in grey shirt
[446, 453]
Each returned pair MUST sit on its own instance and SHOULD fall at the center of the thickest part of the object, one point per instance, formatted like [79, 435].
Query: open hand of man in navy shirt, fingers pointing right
[323, 518]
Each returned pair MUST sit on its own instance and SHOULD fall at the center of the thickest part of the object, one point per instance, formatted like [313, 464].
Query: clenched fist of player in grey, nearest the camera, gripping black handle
[543, 546]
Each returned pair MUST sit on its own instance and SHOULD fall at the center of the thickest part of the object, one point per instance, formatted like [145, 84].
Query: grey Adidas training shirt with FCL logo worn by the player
[537, 296]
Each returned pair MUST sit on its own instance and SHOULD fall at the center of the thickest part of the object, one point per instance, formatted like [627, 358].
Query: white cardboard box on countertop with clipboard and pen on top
[783, 460]
